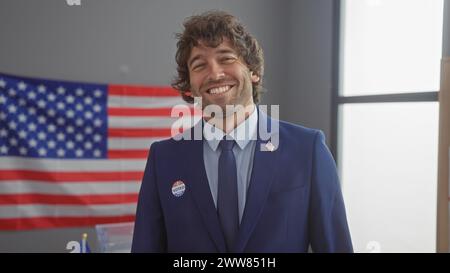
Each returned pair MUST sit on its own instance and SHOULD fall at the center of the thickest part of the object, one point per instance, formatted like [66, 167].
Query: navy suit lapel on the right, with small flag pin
[263, 173]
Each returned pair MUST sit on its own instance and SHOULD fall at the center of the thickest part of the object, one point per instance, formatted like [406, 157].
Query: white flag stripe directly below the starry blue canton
[32, 164]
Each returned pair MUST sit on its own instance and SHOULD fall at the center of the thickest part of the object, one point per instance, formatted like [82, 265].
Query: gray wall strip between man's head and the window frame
[307, 99]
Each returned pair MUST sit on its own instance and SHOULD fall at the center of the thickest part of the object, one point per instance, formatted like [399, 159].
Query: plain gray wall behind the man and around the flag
[132, 42]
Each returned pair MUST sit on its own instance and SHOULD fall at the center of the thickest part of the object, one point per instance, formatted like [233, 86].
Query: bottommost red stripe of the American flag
[57, 221]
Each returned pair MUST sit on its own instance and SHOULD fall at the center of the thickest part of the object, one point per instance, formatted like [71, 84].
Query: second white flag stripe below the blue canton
[73, 188]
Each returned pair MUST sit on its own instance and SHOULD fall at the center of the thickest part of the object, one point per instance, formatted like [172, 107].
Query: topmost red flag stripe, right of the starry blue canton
[142, 91]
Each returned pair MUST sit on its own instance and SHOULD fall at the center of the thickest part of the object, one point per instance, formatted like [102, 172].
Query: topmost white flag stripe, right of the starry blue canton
[144, 102]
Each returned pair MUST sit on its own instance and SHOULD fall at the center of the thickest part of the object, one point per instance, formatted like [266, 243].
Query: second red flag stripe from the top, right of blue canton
[149, 112]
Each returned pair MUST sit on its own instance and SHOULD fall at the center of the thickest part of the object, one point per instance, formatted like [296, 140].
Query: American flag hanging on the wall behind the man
[73, 154]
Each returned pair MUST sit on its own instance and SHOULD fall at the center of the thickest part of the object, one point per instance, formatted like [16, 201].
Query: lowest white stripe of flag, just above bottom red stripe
[35, 210]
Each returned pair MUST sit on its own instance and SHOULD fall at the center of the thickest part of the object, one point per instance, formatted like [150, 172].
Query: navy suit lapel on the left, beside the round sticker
[202, 194]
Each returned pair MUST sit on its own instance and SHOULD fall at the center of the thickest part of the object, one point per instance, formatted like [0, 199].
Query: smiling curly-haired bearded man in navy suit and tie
[232, 190]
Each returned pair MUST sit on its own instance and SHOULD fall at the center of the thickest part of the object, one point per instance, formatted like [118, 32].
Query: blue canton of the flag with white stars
[52, 119]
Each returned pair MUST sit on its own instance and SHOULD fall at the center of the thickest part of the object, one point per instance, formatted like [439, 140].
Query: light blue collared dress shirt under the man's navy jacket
[245, 136]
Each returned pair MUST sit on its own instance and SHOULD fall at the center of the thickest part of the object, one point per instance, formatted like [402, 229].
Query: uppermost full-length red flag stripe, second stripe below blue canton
[69, 176]
